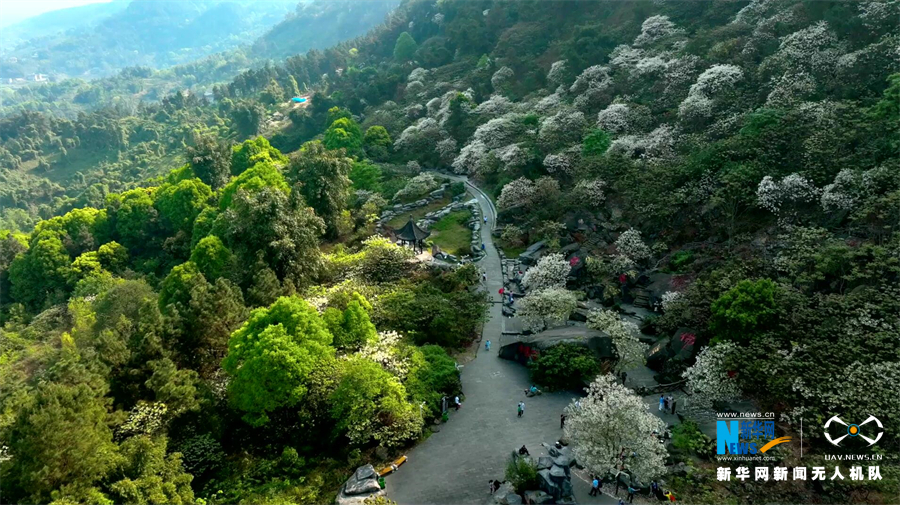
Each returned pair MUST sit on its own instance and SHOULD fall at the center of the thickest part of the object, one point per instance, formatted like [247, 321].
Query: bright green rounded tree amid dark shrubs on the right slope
[745, 310]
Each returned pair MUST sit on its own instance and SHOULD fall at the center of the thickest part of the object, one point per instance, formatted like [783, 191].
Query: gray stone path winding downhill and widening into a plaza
[454, 465]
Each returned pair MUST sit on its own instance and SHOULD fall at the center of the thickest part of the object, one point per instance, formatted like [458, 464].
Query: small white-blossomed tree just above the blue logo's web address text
[708, 379]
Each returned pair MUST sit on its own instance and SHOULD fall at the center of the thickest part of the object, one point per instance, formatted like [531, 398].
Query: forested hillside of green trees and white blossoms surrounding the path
[235, 319]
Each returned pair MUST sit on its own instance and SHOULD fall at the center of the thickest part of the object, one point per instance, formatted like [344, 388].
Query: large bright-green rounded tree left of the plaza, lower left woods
[271, 357]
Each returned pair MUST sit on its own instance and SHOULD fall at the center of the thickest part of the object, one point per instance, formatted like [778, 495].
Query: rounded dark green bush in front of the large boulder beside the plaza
[564, 366]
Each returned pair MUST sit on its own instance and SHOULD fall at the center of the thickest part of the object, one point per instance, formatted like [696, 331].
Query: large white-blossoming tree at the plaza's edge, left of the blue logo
[612, 417]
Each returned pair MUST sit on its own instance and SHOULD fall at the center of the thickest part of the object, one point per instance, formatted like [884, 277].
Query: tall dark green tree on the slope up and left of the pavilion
[326, 185]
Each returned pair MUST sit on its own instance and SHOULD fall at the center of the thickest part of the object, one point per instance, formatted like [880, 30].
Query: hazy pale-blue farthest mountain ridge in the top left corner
[150, 33]
